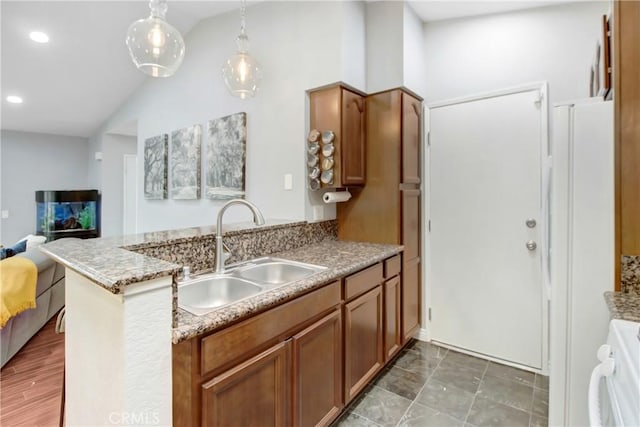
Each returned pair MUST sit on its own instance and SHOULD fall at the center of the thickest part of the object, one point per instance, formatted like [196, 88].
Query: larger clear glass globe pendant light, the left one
[155, 47]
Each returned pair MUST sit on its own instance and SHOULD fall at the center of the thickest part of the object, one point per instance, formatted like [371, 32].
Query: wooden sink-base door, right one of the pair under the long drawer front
[317, 372]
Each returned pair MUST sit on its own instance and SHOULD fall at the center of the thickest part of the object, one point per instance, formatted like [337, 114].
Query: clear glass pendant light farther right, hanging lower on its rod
[242, 73]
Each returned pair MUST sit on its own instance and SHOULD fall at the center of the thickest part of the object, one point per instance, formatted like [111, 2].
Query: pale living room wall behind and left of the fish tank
[36, 161]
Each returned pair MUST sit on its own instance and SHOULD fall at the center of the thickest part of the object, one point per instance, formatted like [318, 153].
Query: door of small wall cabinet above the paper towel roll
[353, 134]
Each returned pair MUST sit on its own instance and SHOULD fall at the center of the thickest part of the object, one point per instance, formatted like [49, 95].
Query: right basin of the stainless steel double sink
[271, 271]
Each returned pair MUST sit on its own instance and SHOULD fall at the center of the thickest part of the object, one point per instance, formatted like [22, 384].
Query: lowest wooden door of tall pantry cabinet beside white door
[410, 298]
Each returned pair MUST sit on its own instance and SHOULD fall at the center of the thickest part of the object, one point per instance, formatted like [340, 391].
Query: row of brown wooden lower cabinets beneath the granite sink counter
[299, 363]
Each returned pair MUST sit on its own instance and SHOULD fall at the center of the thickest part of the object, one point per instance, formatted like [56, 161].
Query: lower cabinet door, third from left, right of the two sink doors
[363, 337]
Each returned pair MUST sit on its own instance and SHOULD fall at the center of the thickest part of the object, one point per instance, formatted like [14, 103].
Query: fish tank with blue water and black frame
[69, 213]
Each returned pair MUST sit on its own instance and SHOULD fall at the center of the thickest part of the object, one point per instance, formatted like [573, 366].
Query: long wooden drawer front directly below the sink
[244, 339]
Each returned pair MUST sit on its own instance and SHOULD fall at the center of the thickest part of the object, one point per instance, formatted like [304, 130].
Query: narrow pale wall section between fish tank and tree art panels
[114, 148]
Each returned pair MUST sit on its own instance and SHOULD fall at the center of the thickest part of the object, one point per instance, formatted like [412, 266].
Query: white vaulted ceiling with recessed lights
[77, 80]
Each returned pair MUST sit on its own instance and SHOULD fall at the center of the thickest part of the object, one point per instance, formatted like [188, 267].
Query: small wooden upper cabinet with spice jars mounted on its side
[341, 109]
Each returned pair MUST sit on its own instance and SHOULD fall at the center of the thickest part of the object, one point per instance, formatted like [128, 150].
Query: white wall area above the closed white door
[474, 55]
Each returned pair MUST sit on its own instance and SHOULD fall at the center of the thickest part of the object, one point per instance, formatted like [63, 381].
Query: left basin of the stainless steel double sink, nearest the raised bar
[201, 295]
